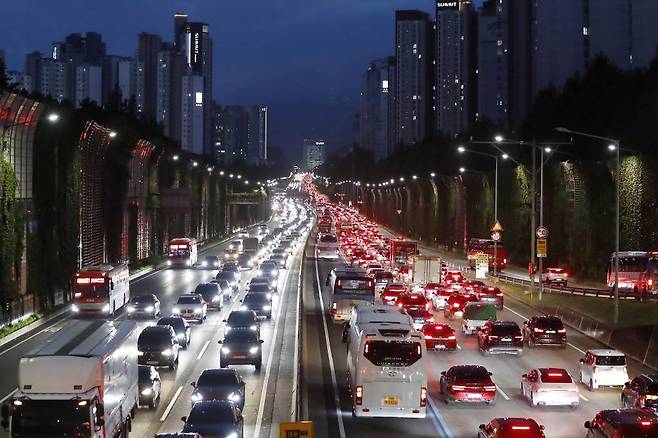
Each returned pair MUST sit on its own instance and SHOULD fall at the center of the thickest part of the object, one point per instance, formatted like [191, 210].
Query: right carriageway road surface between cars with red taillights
[324, 365]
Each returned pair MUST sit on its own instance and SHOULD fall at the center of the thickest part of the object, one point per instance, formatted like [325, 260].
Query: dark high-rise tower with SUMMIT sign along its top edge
[455, 66]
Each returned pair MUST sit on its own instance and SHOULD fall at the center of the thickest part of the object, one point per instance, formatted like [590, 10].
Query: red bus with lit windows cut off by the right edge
[637, 272]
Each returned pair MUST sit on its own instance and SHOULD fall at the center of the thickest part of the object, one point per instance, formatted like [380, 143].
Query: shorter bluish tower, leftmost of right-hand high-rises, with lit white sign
[373, 124]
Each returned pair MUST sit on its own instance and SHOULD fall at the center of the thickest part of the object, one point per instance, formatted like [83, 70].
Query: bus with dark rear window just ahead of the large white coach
[349, 286]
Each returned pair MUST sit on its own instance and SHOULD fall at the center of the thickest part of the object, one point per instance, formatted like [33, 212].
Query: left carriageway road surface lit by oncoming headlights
[268, 392]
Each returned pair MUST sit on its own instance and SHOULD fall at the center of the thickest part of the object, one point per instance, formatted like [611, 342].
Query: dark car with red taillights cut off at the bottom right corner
[631, 423]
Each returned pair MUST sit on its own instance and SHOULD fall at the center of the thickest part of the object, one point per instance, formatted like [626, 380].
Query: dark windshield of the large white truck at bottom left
[58, 417]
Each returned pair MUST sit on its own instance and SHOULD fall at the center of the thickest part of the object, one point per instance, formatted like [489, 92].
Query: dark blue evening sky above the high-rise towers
[302, 58]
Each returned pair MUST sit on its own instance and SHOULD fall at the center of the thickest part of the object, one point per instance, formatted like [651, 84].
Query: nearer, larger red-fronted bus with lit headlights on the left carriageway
[102, 289]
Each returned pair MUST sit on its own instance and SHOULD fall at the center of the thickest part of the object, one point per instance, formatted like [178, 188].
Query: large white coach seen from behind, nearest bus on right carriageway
[387, 368]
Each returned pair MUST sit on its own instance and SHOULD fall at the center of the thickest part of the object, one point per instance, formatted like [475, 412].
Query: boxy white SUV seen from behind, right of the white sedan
[603, 367]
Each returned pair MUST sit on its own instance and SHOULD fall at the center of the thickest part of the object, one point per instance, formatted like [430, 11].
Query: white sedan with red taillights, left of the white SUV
[549, 387]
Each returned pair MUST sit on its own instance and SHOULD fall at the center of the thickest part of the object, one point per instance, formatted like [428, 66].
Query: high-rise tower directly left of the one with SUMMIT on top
[414, 35]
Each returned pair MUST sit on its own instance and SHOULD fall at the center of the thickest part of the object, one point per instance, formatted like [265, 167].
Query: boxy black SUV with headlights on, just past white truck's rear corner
[157, 346]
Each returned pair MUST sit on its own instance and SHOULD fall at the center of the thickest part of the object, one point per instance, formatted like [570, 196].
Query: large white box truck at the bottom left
[82, 382]
